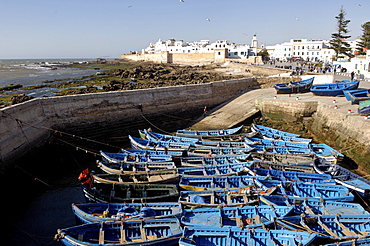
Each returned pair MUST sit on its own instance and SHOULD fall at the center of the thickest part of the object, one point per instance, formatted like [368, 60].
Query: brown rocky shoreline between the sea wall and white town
[127, 75]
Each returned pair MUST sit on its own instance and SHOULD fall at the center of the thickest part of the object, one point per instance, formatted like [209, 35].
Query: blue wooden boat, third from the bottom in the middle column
[220, 198]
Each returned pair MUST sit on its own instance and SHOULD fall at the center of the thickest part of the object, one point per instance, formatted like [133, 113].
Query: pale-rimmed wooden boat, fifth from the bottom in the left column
[124, 167]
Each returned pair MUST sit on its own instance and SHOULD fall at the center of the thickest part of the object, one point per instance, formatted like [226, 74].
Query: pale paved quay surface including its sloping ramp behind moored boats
[244, 106]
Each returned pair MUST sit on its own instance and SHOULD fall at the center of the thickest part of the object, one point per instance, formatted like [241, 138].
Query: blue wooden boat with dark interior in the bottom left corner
[145, 232]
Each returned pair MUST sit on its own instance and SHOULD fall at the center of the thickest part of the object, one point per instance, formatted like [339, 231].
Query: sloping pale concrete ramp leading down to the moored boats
[234, 111]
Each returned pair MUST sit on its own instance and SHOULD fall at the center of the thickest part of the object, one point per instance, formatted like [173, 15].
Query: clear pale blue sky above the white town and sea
[99, 28]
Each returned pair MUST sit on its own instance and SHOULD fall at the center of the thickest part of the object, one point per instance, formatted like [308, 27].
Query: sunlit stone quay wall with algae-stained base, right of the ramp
[348, 133]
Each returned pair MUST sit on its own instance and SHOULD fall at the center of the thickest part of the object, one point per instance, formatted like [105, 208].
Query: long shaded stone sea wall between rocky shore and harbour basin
[26, 125]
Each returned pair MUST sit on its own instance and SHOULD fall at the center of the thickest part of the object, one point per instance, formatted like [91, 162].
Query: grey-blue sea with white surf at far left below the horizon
[29, 72]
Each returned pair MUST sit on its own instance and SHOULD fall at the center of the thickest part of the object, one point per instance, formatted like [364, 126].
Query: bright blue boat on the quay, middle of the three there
[335, 89]
